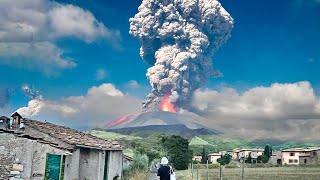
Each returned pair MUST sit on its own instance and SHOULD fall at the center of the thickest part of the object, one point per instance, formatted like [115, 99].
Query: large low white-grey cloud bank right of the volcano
[276, 111]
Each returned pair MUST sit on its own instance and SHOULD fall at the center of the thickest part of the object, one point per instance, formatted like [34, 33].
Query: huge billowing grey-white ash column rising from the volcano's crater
[178, 38]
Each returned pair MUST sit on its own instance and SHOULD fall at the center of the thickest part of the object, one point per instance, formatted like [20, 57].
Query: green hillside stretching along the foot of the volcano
[212, 143]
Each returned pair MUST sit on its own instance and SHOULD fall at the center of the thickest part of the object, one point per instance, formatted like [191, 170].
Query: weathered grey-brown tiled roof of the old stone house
[71, 136]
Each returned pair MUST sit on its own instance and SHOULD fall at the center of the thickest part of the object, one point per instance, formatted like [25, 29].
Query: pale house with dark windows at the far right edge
[300, 156]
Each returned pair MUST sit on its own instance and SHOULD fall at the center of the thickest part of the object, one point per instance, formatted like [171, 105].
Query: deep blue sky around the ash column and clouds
[272, 42]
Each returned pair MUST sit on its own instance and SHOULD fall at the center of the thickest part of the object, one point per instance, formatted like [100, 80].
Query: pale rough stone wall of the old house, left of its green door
[22, 158]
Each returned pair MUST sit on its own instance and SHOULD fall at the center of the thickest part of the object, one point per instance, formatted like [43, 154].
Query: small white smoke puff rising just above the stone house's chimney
[35, 105]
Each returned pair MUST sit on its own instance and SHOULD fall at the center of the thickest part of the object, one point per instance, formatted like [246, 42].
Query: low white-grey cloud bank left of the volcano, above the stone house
[100, 104]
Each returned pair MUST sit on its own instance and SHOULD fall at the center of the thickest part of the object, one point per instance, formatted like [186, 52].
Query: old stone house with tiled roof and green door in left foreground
[37, 150]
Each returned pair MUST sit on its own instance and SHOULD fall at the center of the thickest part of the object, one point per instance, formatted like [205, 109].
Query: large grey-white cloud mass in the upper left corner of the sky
[30, 28]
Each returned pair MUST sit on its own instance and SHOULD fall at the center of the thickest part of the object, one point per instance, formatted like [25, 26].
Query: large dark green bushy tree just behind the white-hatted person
[178, 151]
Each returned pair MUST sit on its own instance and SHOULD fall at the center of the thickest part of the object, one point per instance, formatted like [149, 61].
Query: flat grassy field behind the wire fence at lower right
[272, 173]
